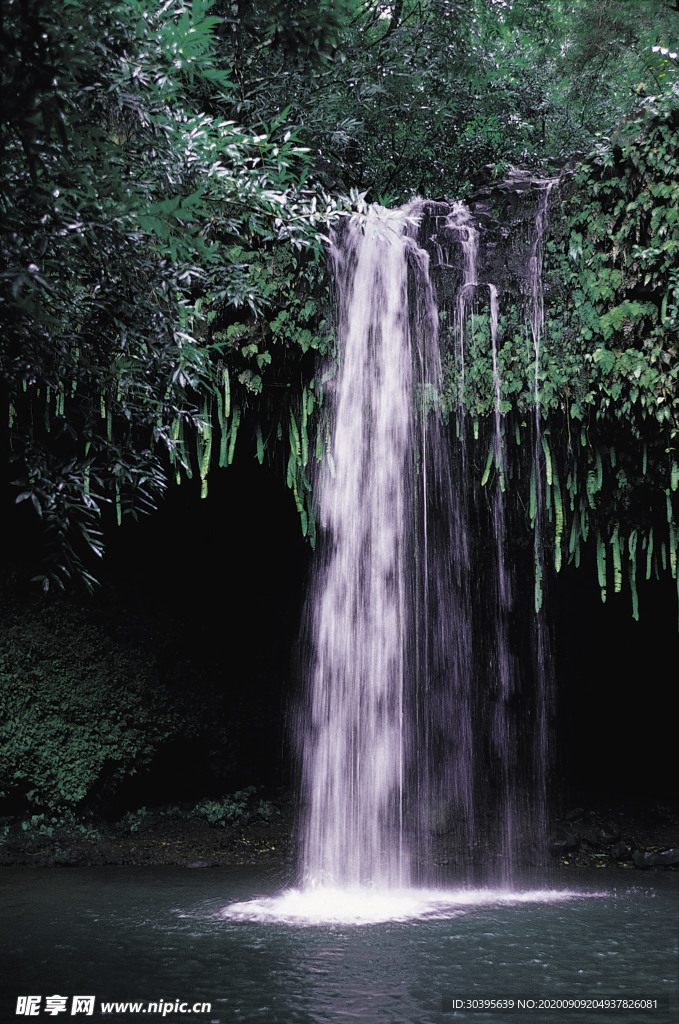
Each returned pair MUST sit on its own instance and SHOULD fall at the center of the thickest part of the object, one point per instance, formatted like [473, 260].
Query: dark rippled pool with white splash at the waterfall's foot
[174, 940]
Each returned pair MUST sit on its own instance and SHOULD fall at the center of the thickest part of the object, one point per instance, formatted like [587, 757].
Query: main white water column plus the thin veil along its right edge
[391, 643]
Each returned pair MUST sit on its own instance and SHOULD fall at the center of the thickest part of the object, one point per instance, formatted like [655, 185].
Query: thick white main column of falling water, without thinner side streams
[355, 743]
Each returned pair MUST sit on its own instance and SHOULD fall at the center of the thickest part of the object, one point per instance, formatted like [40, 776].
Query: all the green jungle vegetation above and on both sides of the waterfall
[172, 169]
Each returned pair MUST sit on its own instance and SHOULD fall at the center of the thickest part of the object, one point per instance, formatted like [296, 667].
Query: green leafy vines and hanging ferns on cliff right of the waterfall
[608, 364]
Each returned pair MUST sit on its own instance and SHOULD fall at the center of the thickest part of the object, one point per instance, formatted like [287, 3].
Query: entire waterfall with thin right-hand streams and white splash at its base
[418, 718]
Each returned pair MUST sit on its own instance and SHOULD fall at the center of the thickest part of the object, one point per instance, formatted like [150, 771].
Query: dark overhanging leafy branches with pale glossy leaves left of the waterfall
[135, 214]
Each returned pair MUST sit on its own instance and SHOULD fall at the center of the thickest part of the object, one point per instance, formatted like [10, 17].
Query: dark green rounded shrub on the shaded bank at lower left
[78, 711]
